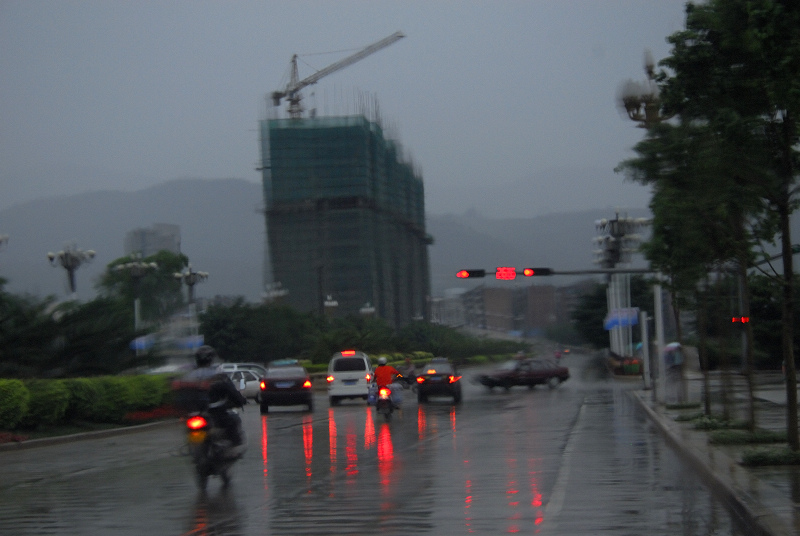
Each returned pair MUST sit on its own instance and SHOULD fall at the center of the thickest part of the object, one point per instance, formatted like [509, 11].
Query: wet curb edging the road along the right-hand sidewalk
[759, 519]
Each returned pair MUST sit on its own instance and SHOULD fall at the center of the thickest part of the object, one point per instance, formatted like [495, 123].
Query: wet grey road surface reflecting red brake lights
[579, 459]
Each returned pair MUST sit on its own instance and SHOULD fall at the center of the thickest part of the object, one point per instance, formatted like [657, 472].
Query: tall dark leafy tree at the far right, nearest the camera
[736, 76]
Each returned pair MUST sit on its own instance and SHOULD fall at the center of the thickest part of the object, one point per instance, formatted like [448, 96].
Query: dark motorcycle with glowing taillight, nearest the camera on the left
[212, 452]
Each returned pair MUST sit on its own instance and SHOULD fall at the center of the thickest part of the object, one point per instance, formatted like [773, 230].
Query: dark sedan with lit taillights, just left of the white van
[286, 384]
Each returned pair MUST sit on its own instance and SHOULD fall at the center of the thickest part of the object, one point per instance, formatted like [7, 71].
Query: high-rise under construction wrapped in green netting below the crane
[345, 217]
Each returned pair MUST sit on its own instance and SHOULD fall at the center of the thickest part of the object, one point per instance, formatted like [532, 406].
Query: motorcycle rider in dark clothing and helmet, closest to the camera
[222, 395]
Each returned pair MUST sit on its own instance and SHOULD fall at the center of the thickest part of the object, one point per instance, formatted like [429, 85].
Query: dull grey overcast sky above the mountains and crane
[507, 107]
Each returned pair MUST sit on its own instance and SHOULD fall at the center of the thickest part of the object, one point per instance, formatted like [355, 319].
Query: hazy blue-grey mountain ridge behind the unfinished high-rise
[223, 233]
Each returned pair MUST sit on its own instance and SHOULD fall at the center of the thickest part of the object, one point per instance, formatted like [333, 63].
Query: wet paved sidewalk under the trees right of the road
[766, 498]
